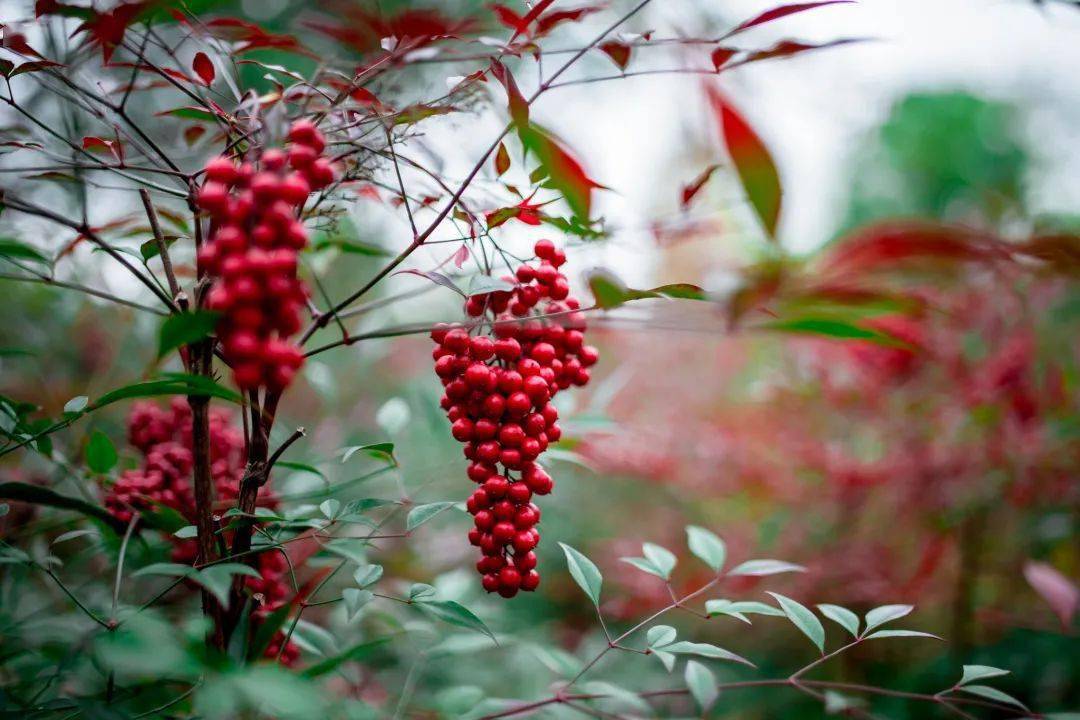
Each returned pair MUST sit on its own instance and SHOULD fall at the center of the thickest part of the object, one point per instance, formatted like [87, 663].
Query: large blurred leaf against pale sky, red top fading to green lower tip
[752, 160]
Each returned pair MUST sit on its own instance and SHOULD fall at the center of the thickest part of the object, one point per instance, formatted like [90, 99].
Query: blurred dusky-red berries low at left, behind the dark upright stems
[164, 438]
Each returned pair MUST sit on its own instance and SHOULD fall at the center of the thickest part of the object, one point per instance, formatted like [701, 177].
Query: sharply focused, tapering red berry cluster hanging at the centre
[499, 387]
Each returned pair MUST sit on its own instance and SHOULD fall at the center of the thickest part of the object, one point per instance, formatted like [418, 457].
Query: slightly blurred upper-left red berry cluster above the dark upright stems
[252, 252]
